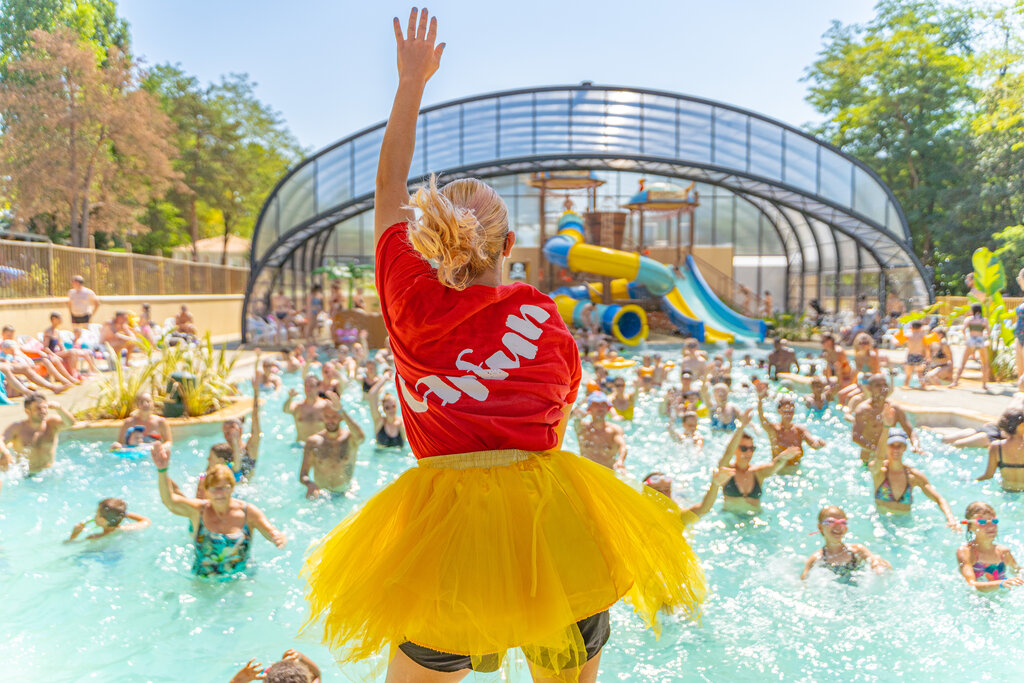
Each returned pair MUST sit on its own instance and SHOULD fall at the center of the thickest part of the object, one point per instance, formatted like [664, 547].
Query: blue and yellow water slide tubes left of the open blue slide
[569, 250]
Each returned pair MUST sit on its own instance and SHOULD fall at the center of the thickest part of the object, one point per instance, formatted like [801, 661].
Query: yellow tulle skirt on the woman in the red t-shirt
[475, 554]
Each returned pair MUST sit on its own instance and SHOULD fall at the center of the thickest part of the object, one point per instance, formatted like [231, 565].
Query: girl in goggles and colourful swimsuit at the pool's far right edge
[983, 564]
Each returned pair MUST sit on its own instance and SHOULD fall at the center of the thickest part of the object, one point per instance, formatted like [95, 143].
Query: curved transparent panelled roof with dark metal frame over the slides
[828, 209]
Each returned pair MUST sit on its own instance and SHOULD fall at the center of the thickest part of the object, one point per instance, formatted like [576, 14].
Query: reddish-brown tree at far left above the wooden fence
[83, 144]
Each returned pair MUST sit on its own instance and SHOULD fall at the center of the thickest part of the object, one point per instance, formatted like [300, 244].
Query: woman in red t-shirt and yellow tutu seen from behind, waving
[497, 540]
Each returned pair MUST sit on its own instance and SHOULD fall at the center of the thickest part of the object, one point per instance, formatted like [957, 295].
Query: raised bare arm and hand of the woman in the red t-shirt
[418, 60]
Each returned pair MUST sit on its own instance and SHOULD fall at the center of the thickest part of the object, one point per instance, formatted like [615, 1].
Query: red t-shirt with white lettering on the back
[481, 369]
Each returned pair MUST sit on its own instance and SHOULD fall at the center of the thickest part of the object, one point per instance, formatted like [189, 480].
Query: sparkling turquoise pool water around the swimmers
[129, 609]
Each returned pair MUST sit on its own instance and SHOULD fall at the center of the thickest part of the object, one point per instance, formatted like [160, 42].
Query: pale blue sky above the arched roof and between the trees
[329, 67]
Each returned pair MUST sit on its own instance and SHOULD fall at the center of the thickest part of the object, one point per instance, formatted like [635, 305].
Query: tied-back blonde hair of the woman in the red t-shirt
[463, 228]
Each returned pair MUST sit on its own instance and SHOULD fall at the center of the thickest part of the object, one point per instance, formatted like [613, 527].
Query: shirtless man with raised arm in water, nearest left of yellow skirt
[331, 453]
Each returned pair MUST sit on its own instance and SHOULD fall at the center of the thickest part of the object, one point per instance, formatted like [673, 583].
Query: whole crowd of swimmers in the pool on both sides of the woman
[697, 391]
